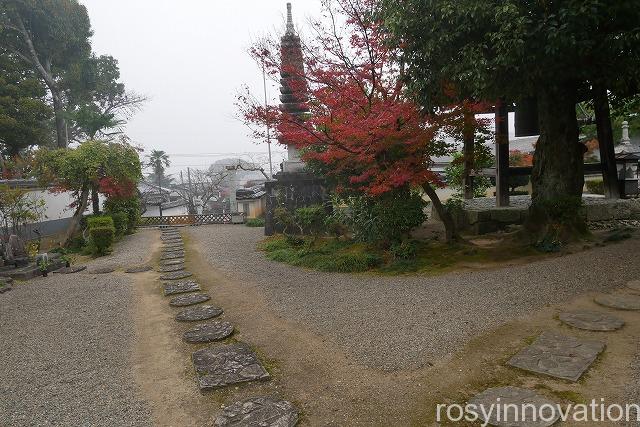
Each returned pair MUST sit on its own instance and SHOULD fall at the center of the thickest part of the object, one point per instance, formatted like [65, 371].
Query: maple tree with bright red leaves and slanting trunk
[361, 124]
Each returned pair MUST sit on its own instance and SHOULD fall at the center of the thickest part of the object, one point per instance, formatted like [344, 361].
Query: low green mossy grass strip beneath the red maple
[346, 256]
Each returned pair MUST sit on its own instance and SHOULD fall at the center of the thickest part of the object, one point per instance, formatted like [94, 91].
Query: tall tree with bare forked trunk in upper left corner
[49, 35]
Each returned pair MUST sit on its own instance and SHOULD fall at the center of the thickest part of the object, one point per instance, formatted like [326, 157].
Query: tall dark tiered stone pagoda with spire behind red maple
[293, 90]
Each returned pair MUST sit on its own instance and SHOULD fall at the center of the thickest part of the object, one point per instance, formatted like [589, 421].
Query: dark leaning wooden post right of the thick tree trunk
[605, 141]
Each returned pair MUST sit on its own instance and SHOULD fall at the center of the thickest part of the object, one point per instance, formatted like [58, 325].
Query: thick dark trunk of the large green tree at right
[558, 166]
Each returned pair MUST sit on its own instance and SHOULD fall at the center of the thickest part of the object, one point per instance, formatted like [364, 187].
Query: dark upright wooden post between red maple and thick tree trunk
[502, 153]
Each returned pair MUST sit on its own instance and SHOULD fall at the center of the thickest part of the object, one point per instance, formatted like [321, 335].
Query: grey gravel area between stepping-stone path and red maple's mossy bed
[402, 322]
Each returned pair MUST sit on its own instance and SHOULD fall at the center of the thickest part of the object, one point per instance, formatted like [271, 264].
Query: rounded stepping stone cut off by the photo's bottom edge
[260, 412]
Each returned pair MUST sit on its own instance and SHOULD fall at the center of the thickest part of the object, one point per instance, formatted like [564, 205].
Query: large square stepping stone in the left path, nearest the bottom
[223, 365]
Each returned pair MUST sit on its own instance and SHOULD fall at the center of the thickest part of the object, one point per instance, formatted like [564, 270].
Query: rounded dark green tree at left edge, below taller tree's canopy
[24, 113]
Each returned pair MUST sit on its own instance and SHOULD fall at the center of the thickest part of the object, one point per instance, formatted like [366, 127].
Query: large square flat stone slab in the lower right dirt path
[558, 356]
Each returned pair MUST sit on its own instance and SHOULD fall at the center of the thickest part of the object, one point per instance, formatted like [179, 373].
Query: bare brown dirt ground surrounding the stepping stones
[328, 386]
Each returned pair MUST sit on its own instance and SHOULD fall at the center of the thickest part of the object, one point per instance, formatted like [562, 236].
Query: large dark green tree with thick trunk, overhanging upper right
[514, 49]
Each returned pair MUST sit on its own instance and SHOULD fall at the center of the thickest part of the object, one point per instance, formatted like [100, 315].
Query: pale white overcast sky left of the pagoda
[190, 57]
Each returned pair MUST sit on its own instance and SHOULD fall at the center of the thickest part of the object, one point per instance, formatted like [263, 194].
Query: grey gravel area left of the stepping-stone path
[65, 349]
